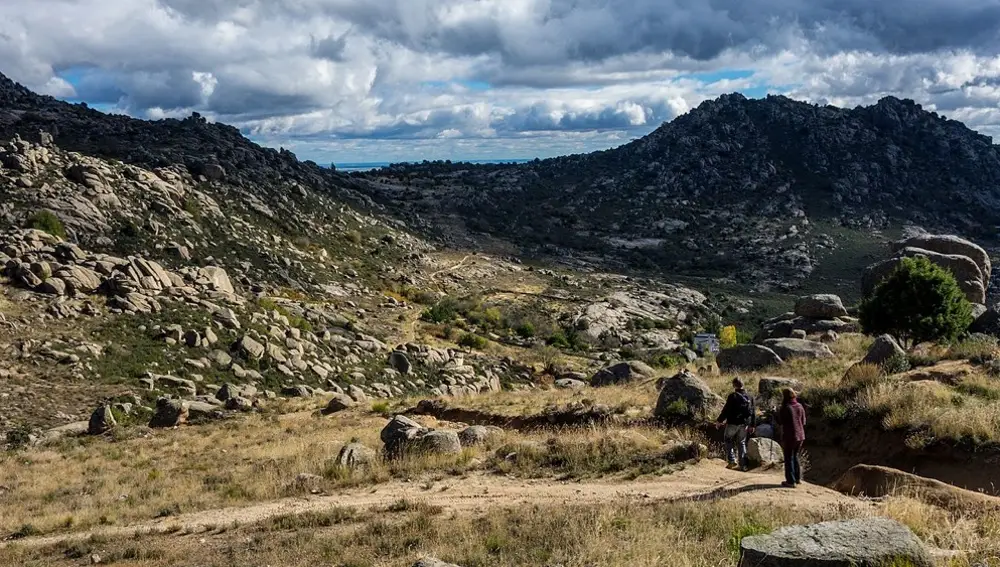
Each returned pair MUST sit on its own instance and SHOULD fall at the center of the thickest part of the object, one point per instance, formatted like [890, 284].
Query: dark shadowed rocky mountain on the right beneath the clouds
[772, 193]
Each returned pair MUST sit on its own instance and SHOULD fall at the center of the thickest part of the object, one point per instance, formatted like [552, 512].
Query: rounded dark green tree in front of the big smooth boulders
[918, 302]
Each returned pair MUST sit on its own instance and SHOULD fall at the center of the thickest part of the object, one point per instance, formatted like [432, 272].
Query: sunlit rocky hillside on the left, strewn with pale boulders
[184, 272]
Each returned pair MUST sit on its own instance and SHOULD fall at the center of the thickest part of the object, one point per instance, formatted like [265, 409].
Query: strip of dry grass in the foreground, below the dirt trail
[618, 534]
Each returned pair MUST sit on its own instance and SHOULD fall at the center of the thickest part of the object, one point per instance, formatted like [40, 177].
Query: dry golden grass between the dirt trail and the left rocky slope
[86, 482]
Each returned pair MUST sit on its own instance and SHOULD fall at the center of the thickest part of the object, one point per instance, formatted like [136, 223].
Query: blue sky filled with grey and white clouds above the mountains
[388, 80]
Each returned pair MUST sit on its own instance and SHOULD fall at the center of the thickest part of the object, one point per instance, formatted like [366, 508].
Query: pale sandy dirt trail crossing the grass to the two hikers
[709, 480]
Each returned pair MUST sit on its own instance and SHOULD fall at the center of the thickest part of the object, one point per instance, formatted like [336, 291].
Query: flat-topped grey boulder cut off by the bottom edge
[871, 542]
